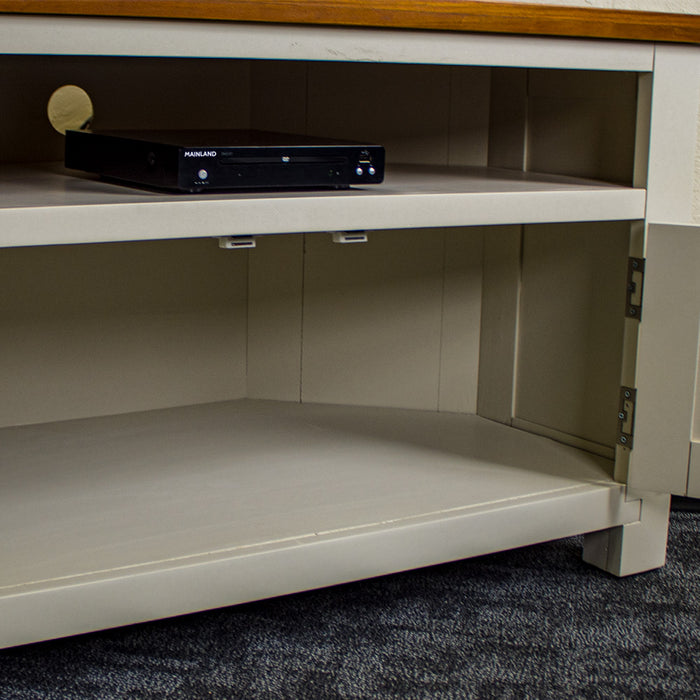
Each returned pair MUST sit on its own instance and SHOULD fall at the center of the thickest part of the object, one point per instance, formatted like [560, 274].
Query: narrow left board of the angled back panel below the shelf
[274, 318]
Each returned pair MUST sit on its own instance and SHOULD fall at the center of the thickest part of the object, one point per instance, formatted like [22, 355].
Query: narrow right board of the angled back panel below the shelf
[461, 318]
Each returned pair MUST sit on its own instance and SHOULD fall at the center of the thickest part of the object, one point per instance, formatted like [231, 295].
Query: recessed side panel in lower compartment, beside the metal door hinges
[571, 328]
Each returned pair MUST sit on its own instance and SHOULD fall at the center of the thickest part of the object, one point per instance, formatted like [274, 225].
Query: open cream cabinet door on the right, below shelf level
[667, 365]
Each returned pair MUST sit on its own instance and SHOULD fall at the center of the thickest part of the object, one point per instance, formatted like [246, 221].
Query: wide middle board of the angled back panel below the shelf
[372, 319]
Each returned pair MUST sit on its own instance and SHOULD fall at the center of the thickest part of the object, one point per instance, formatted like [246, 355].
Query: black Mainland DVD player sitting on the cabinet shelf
[199, 161]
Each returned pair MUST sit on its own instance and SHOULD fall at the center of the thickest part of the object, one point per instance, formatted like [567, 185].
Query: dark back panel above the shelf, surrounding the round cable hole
[127, 93]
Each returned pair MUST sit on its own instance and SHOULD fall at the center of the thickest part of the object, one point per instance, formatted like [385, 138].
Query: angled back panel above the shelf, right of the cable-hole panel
[421, 114]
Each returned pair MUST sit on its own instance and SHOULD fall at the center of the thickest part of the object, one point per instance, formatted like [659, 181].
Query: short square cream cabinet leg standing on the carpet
[631, 549]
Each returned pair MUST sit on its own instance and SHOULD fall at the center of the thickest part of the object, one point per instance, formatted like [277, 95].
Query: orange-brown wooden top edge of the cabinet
[496, 16]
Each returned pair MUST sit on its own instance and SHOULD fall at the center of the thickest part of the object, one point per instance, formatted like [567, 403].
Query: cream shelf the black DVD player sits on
[47, 205]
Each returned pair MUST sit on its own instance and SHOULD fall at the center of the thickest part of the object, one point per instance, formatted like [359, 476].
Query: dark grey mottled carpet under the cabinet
[530, 623]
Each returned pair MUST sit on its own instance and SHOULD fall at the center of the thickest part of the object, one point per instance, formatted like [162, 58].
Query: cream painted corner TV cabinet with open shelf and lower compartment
[186, 427]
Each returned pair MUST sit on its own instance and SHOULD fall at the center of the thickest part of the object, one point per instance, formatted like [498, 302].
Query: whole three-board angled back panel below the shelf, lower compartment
[394, 322]
